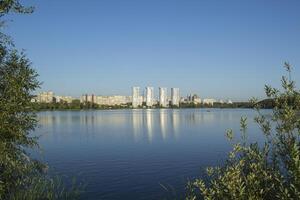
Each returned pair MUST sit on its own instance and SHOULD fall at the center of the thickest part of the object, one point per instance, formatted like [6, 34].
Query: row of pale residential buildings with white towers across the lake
[136, 99]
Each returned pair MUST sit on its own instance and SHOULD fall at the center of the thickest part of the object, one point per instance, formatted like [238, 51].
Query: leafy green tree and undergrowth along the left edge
[21, 176]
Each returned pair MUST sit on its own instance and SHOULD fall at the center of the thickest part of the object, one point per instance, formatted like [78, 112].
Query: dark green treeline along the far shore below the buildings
[77, 105]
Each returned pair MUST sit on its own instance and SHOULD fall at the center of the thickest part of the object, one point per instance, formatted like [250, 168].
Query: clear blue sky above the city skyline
[220, 49]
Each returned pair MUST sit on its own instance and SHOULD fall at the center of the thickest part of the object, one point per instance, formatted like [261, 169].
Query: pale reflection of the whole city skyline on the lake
[148, 124]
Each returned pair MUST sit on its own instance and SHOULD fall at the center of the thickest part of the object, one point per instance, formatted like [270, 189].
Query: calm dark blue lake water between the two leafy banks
[138, 154]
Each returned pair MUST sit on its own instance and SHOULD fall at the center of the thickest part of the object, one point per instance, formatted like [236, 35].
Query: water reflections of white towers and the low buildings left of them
[147, 124]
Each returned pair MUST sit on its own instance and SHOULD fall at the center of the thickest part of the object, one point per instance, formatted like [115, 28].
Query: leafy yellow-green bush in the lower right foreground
[255, 171]
